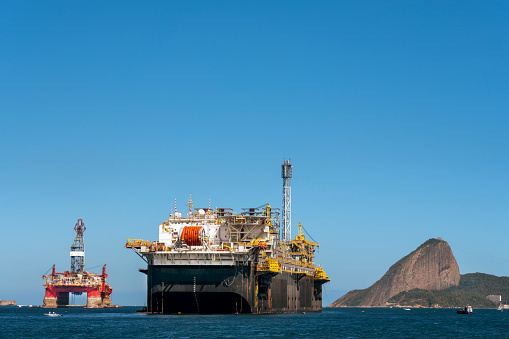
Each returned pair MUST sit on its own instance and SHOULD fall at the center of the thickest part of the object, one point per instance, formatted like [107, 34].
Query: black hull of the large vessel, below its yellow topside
[211, 289]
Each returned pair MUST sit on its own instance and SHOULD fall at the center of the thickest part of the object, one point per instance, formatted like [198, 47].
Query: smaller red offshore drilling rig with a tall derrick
[77, 280]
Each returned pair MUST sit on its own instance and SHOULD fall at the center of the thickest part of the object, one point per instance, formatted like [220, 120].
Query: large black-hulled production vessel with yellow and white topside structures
[218, 261]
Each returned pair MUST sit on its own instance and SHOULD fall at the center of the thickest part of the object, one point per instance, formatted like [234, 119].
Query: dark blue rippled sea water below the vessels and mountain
[331, 323]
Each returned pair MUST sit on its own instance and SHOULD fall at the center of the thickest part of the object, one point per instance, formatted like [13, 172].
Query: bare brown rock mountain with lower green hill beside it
[428, 277]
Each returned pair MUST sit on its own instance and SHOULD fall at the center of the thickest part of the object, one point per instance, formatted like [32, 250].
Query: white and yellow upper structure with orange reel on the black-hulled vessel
[212, 237]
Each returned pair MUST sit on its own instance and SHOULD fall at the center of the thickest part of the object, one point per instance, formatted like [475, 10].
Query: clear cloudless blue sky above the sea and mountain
[394, 114]
